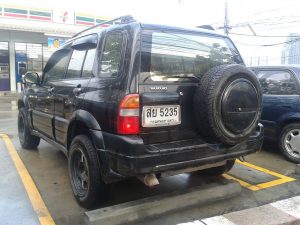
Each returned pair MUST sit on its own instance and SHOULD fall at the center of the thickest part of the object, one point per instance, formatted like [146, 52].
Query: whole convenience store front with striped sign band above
[29, 36]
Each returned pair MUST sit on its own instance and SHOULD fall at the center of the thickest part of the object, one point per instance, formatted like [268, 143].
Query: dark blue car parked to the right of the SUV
[281, 109]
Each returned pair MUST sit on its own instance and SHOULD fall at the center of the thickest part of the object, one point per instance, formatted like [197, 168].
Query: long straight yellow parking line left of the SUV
[32, 191]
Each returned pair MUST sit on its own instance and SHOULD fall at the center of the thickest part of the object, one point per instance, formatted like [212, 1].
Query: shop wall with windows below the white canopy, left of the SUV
[21, 51]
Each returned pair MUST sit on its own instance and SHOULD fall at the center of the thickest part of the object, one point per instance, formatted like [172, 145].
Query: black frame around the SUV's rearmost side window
[123, 52]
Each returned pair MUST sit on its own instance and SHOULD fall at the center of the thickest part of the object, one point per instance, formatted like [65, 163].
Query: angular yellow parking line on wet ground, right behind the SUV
[282, 178]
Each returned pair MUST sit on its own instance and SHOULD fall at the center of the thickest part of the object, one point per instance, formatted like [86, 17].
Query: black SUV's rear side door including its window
[69, 93]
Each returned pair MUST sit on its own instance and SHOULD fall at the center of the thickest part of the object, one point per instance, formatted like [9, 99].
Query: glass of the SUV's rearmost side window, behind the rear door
[112, 54]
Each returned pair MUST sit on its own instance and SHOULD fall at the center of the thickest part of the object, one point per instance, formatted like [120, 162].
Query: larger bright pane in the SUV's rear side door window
[75, 65]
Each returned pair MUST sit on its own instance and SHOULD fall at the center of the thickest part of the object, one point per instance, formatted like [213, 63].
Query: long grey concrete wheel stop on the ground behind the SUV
[142, 209]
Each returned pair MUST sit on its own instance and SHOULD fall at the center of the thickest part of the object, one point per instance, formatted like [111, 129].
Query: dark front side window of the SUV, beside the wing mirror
[55, 68]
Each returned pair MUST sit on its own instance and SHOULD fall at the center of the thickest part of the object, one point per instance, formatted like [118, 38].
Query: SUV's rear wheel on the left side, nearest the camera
[84, 172]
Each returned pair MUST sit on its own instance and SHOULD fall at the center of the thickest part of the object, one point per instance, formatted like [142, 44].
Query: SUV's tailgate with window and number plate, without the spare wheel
[172, 63]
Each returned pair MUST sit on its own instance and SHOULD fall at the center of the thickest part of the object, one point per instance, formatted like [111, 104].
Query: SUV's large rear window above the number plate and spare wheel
[173, 57]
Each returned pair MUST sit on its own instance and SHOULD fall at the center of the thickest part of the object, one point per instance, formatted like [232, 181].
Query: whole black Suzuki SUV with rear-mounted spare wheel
[142, 100]
